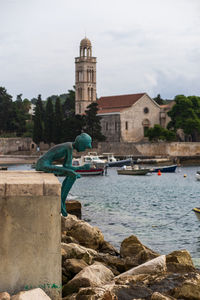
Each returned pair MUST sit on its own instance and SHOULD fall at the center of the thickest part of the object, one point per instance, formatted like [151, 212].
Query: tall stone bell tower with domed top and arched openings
[85, 80]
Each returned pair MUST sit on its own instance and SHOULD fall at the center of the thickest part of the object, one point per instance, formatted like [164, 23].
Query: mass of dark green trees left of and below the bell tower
[54, 119]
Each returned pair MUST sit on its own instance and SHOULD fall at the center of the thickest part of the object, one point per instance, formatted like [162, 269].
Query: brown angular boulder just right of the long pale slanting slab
[179, 261]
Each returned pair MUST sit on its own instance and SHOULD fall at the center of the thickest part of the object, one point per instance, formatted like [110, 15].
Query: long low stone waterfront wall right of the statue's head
[151, 149]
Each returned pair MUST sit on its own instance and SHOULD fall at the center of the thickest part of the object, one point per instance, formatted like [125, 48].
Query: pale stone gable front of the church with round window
[134, 119]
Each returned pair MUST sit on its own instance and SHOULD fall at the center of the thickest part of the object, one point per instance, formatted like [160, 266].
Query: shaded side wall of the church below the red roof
[111, 127]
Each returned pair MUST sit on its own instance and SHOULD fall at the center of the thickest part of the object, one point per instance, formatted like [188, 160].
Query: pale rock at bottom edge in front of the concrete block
[33, 294]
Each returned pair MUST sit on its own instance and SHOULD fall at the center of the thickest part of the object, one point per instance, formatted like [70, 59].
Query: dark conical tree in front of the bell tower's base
[93, 123]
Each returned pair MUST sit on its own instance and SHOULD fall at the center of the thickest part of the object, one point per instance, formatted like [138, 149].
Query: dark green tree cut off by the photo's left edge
[6, 111]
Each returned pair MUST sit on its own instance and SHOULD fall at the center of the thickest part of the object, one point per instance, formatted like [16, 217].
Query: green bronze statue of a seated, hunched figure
[65, 150]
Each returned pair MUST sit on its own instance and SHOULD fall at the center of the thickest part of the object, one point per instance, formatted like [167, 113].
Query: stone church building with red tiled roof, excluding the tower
[128, 124]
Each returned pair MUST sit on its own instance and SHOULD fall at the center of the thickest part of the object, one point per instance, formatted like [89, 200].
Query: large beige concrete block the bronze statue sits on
[30, 232]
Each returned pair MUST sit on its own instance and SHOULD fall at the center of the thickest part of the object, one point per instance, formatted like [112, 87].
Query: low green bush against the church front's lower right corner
[159, 133]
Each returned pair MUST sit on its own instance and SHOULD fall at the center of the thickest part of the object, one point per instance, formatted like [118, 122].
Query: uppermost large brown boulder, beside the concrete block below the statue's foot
[83, 232]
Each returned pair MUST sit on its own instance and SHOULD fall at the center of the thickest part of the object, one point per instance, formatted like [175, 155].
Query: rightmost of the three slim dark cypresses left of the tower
[58, 122]
